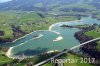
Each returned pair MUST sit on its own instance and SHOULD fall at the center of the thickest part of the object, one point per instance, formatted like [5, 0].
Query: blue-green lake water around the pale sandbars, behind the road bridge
[30, 46]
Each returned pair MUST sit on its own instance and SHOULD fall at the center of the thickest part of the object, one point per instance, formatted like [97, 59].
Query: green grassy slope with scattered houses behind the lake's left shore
[27, 21]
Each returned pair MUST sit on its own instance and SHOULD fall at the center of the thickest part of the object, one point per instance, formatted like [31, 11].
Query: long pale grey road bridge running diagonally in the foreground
[59, 54]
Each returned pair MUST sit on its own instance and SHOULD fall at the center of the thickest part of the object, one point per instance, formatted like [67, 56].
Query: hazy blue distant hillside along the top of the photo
[42, 5]
